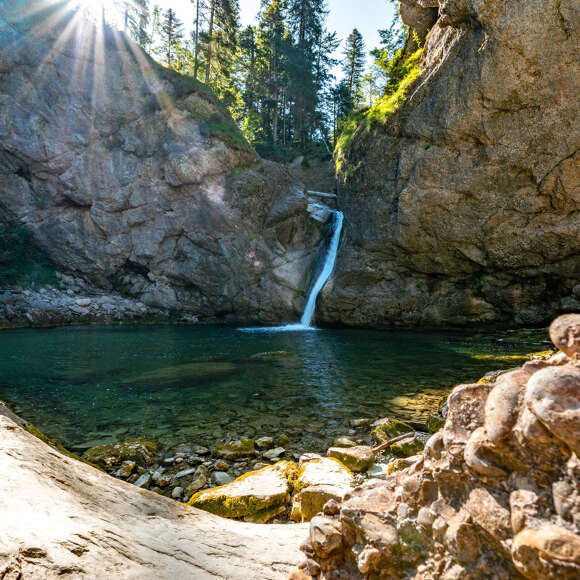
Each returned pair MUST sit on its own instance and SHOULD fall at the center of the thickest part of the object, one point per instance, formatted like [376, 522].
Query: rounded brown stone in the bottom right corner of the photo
[549, 552]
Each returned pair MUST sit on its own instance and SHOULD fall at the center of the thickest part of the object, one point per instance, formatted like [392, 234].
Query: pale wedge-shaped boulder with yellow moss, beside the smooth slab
[257, 496]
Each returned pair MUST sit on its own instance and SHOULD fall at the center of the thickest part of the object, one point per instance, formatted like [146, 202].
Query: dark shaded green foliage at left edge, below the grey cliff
[21, 261]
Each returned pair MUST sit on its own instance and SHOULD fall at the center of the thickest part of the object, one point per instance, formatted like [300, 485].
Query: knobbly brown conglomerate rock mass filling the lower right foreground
[496, 494]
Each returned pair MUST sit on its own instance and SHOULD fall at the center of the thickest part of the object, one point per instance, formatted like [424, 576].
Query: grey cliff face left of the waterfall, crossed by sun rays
[136, 180]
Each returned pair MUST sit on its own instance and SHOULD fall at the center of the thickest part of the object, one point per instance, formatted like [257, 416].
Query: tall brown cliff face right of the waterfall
[463, 206]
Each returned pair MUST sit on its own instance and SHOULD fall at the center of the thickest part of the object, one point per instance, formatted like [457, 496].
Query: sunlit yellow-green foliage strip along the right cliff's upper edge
[404, 74]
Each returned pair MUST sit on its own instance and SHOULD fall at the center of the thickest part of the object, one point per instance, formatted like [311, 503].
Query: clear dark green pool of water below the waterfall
[92, 385]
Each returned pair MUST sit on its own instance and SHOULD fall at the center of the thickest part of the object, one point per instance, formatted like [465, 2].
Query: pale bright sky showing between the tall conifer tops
[366, 15]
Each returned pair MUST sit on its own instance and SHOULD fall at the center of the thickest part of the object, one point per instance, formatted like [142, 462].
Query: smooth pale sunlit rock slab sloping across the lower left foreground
[60, 515]
